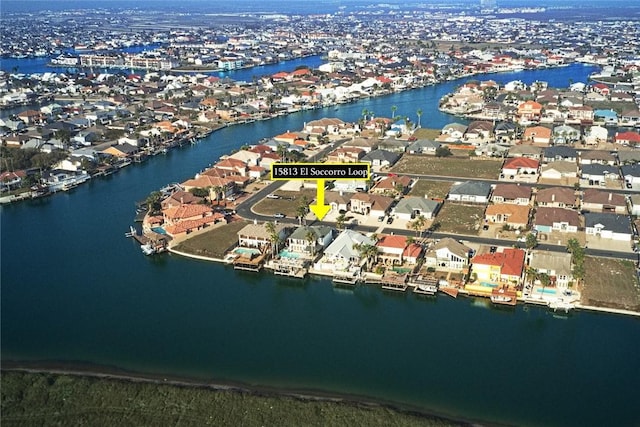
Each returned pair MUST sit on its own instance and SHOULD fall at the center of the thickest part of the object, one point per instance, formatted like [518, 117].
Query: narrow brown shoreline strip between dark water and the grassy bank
[99, 372]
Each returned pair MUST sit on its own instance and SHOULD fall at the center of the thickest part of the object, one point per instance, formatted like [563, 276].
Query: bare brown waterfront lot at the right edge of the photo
[611, 283]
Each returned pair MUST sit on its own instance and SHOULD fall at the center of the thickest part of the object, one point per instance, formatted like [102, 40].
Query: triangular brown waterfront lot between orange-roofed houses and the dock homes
[214, 243]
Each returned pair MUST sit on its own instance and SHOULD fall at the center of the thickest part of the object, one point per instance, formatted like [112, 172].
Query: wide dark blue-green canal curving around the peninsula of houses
[75, 290]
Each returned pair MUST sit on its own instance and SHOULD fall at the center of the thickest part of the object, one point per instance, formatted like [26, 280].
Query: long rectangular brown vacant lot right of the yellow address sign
[448, 166]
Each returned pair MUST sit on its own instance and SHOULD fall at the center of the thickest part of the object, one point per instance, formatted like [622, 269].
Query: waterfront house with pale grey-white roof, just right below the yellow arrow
[342, 254]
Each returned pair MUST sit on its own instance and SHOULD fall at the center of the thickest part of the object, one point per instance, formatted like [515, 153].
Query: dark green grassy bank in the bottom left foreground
[30, 399]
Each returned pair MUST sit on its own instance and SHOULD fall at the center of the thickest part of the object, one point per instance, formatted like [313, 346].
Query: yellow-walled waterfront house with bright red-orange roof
[504, 267]
